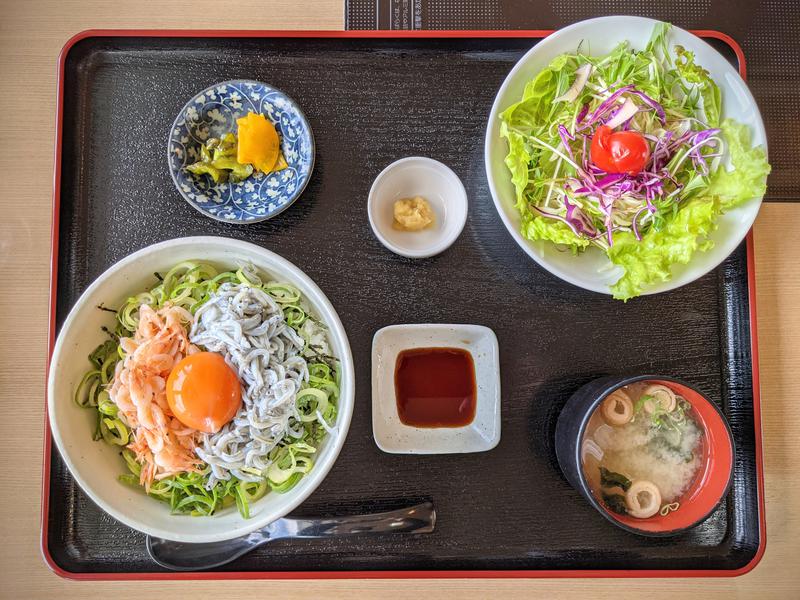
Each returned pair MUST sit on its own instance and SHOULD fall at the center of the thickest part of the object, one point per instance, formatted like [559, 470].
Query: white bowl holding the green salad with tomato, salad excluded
[593, 270]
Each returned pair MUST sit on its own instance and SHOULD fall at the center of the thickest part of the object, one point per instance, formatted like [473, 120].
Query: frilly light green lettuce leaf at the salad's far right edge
[747, 178]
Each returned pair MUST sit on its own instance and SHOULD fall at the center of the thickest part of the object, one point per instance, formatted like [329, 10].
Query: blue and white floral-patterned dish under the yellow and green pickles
[213, 113]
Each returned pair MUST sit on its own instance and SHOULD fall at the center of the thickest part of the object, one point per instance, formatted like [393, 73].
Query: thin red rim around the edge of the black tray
[407, 574]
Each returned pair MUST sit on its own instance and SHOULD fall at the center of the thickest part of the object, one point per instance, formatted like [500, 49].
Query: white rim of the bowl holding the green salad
[702, 262]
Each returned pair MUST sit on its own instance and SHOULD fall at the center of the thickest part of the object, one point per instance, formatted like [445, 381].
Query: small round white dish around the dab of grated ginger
[436, 183]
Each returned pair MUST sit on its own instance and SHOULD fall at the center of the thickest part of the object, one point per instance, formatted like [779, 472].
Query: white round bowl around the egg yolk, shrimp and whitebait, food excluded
[95, 465]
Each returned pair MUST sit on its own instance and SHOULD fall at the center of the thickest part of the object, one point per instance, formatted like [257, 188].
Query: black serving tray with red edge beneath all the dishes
[370, 99]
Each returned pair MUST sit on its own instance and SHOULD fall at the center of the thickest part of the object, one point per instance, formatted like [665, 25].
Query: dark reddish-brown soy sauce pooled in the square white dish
[435, 387]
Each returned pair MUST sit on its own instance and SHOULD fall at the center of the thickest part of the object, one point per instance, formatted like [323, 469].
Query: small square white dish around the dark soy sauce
[391, 434]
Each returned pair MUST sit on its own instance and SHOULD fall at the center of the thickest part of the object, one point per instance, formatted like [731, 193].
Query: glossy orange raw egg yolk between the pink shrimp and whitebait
[203, 392]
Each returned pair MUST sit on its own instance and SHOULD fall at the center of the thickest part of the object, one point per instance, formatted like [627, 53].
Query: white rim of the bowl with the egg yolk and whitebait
[316, 297]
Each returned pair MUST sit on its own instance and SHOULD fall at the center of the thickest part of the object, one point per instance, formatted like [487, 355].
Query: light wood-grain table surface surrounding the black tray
[31, 35]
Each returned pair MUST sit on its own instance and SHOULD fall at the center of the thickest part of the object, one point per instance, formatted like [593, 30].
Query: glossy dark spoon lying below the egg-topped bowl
[182, 556]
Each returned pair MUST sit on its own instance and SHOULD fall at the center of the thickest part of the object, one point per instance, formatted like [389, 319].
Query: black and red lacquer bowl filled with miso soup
[650, 453]
